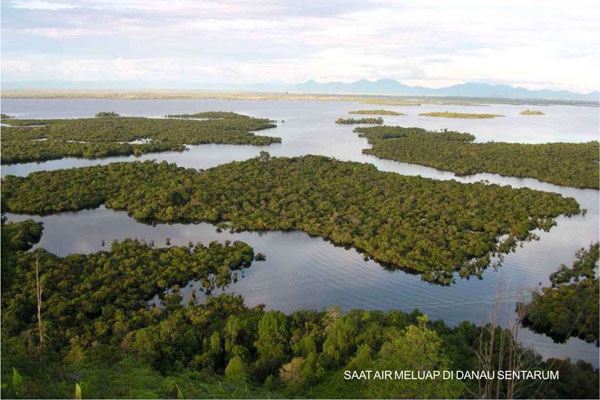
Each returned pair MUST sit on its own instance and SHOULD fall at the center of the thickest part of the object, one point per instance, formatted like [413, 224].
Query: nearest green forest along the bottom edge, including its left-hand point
[82, 326]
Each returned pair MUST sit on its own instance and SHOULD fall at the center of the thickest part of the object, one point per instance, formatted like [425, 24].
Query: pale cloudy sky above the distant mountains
[434, 43]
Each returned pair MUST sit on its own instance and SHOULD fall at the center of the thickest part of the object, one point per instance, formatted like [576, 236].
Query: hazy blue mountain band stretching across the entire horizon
[363, 86]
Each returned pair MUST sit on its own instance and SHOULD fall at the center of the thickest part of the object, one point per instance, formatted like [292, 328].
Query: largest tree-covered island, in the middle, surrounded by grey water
[430, 227]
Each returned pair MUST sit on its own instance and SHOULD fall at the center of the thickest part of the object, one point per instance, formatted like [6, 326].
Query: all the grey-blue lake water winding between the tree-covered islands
[307, 272]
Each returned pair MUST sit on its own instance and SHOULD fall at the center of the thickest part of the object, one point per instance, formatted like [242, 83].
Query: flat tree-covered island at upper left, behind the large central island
[110, 135]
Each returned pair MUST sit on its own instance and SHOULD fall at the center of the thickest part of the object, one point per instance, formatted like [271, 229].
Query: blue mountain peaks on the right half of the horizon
[390, 86]
